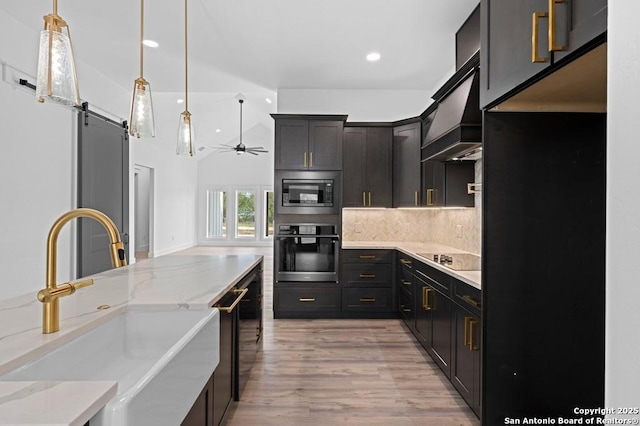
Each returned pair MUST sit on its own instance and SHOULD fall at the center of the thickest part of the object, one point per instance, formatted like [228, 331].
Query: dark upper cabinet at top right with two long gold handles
[522, 39]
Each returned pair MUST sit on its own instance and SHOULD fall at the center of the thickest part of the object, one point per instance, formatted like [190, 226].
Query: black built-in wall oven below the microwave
[306, 252]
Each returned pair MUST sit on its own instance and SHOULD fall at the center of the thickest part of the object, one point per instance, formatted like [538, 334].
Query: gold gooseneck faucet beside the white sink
[51, 294]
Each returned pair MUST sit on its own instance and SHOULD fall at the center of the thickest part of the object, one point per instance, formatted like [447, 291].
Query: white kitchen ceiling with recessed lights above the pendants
[243, 45]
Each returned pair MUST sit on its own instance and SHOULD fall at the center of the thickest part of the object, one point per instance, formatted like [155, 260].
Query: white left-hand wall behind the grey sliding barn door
[38, 166]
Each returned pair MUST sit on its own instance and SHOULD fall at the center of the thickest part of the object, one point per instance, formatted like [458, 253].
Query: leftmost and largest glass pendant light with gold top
[57, 79]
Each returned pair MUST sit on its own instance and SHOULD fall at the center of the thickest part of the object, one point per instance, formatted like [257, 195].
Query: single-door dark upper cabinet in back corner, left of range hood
[407, 139]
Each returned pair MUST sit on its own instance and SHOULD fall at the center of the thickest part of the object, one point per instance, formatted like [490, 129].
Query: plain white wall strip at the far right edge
[623, 207]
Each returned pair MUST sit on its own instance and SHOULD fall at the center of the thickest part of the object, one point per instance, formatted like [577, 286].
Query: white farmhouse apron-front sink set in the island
[161, 358]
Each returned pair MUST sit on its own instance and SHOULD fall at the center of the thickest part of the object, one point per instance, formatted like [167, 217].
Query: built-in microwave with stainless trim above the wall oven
[307, 192]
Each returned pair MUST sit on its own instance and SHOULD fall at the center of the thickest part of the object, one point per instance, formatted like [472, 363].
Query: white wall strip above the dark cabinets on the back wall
[360, 105]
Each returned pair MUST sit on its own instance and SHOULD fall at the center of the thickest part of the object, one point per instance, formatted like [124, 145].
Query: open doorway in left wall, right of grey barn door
[143, 212]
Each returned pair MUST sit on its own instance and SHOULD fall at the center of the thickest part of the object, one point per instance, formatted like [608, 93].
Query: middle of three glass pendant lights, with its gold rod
[141, 121]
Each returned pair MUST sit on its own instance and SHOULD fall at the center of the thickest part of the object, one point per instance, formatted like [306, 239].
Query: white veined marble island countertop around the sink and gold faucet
[189, 281]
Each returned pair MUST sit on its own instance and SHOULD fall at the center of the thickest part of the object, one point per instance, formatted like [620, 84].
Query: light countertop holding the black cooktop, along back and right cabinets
[412, 249]
